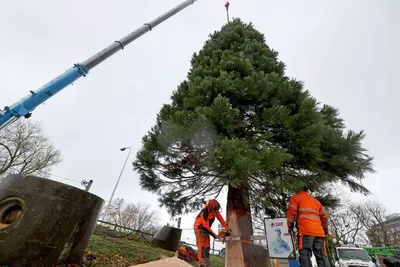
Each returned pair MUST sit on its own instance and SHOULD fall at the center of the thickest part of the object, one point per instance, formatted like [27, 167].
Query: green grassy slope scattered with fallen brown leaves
[109, 251]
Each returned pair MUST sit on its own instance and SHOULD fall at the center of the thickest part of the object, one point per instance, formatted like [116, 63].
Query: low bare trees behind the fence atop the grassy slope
[137, 216]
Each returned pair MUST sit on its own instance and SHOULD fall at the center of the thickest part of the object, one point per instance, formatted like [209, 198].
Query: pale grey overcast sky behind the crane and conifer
[346, 52]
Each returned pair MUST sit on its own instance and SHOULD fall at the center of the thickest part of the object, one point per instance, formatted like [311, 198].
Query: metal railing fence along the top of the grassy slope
[119, 231]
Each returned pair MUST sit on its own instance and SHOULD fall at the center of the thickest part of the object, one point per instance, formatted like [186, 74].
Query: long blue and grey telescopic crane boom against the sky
[25, 106]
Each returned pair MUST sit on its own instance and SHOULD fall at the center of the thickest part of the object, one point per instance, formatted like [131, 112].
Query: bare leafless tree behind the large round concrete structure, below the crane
[26, 150]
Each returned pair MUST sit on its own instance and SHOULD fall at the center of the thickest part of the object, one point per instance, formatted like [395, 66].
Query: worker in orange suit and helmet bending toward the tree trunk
[202, 229]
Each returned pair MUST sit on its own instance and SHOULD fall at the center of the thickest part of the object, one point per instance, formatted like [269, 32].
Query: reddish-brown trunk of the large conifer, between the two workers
[239, 253]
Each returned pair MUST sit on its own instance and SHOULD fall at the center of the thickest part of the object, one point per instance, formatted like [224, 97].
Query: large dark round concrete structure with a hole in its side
[44, 222]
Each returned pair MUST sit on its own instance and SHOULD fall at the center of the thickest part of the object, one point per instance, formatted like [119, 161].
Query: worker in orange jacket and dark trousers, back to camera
[312, 224]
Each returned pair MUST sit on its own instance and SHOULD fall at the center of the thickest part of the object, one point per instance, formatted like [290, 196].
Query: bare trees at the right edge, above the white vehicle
[377, 229]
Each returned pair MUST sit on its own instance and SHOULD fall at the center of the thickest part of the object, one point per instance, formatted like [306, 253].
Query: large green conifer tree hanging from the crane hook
[238, 122]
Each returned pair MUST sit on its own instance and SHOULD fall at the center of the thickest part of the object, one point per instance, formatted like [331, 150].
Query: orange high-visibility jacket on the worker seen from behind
[309, 214]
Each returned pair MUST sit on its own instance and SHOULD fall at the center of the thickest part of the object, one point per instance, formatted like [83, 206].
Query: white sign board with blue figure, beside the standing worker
[280, 241]
